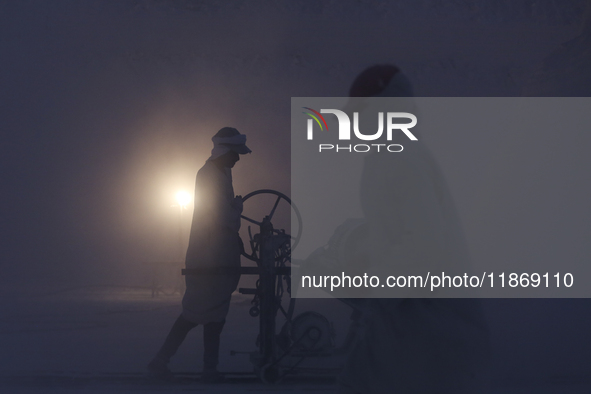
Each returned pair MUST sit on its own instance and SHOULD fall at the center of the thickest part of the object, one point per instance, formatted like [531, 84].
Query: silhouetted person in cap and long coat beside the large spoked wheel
[214, 242]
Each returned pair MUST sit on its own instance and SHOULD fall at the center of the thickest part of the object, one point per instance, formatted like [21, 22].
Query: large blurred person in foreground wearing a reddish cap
[411, 345]
